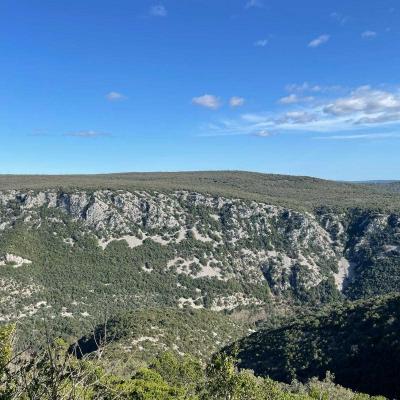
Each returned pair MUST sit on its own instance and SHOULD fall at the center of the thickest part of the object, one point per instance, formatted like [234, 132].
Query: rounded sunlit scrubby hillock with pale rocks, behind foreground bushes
[132, 338]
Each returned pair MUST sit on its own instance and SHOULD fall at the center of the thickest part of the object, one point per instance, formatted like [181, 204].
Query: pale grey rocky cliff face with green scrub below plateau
[223, 252]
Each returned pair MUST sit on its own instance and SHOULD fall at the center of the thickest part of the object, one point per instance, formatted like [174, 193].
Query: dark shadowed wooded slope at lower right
[358, 342]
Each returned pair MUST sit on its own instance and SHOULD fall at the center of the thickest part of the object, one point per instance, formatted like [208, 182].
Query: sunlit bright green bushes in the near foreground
[53, 374]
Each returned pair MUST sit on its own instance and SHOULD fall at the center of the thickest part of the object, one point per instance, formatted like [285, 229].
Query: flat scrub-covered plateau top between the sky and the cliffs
[292, 191]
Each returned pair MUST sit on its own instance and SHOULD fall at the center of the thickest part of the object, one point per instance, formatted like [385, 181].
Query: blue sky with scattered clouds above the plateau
[298, 87]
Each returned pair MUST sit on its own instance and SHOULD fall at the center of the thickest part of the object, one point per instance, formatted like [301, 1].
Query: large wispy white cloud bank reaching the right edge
[360, 110]
